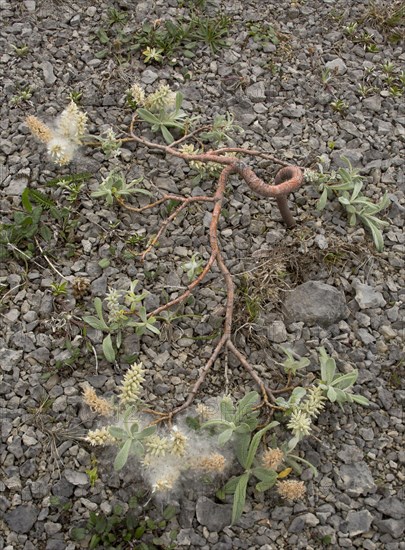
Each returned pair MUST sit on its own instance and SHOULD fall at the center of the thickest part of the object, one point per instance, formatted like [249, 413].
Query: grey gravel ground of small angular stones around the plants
[277, 95]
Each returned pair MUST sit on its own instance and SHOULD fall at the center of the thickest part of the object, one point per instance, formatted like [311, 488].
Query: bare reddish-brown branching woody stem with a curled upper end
[288, 179]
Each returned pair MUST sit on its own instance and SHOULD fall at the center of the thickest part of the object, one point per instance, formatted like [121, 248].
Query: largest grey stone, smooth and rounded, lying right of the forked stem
[315, 303]
